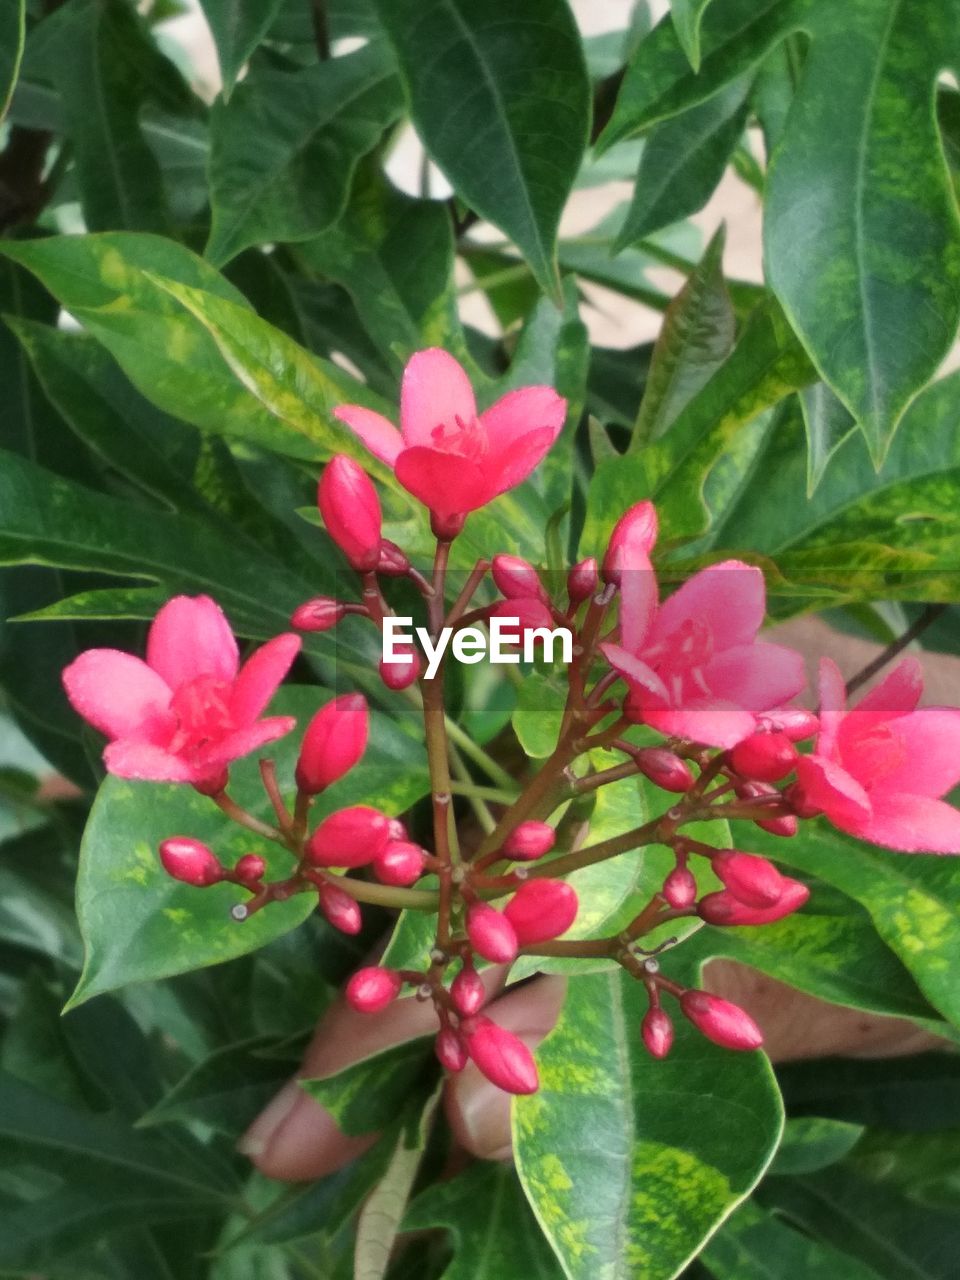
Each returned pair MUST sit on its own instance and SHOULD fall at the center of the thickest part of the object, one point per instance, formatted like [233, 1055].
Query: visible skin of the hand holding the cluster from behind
[295, 1139]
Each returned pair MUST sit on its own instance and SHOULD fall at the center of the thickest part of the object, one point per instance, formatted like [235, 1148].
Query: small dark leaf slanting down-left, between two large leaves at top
[684, 161]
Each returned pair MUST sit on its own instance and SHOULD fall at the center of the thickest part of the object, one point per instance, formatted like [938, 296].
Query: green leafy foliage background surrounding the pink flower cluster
[170, 441]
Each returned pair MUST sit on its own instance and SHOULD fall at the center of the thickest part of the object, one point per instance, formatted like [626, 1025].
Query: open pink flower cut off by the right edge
[880, 770]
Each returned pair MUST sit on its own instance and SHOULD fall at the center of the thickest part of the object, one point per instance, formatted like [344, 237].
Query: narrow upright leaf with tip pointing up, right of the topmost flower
[696, 340]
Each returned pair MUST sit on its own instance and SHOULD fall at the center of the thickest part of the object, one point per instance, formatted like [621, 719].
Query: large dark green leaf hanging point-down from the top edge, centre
[501, 99]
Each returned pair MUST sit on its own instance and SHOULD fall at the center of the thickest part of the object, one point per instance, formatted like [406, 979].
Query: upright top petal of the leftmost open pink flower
[190, 638]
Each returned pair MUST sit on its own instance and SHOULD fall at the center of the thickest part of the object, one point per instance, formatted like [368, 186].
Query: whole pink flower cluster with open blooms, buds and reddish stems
[688, 671]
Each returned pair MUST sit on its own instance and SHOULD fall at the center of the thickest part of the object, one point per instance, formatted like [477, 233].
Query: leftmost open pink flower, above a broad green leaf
[186, 712]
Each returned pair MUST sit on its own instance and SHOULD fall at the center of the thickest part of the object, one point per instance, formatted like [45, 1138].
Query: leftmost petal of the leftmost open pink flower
[120, 696]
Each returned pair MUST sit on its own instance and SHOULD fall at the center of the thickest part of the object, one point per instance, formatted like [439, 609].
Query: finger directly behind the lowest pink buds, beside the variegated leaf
[478, 1112]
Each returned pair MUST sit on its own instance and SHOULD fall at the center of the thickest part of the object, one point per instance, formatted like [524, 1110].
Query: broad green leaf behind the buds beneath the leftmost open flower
[140, 925]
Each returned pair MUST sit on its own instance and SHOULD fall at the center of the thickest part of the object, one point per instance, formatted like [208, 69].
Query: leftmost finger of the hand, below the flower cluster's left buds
[295, 1139]
